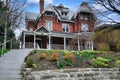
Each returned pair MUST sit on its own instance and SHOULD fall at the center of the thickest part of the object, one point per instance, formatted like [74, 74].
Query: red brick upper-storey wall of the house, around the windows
[57, 25]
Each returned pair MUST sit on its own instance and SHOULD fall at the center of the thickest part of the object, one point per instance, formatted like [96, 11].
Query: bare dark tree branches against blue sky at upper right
[111, 7]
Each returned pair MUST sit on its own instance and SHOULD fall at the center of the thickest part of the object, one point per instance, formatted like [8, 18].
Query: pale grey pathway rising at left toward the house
[10, 64]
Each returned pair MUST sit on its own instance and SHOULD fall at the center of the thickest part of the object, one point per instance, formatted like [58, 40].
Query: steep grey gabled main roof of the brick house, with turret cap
[63, 13]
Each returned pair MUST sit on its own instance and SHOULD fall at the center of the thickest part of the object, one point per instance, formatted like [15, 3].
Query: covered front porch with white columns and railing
[57, 41]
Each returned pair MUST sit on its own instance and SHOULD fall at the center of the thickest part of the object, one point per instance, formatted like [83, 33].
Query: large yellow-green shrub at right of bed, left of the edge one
[100, 62]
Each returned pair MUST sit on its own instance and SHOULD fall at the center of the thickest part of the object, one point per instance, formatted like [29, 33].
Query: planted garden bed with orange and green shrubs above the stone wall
[58, 59]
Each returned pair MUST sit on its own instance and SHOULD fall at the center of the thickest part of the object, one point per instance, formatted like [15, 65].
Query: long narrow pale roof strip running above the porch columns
[82, 35]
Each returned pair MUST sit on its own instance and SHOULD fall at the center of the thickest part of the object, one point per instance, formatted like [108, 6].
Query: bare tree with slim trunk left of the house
[13, 16]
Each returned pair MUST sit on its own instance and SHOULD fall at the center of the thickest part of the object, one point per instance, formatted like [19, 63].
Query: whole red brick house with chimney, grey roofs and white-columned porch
[57, 27]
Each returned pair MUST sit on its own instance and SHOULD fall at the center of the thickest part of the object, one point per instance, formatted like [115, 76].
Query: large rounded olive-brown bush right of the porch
[110, 38]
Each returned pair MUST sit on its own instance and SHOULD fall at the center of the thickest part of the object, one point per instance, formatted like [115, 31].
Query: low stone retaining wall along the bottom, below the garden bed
[73, 74]
